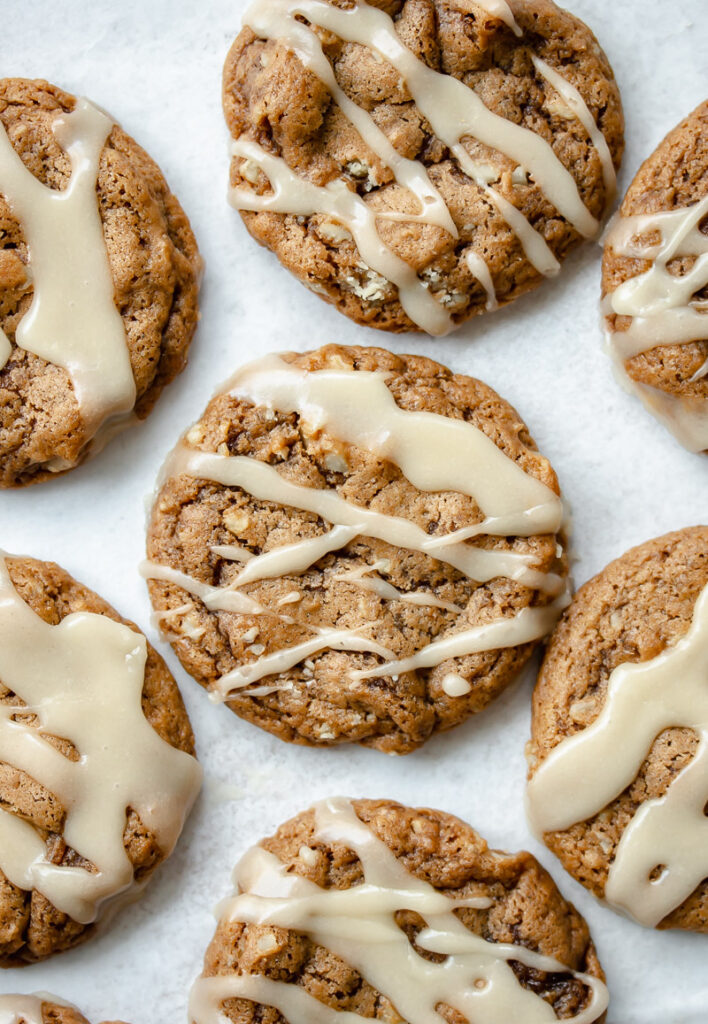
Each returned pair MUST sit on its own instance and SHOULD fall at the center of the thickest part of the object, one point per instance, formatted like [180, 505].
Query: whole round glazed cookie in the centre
[354, 546]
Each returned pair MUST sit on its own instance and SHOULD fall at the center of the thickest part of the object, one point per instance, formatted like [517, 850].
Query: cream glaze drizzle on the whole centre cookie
[358, 408]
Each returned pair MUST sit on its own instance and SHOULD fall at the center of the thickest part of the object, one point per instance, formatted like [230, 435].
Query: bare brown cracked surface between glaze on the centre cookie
[367, 584]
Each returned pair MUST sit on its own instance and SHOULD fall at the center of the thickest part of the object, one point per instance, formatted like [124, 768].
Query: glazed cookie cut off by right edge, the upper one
[655, 283]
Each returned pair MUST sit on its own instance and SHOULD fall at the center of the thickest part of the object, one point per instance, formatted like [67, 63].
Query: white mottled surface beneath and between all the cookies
[156, 65]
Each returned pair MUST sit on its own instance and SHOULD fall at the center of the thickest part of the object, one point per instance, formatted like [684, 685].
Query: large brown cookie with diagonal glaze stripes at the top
[419, 162]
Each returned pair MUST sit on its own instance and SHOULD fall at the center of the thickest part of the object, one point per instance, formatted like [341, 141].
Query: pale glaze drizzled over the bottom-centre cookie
[359, 926]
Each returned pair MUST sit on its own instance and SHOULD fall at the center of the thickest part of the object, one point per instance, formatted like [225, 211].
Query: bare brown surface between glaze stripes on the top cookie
[273, 100]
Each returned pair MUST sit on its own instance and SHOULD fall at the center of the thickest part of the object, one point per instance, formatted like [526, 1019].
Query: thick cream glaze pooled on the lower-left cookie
[84, 679]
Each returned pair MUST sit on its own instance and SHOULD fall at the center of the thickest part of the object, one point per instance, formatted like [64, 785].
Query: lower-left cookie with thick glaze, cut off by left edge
[98, 771]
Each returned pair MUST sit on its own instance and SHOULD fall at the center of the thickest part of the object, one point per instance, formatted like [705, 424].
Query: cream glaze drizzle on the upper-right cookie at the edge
[661, 308]
